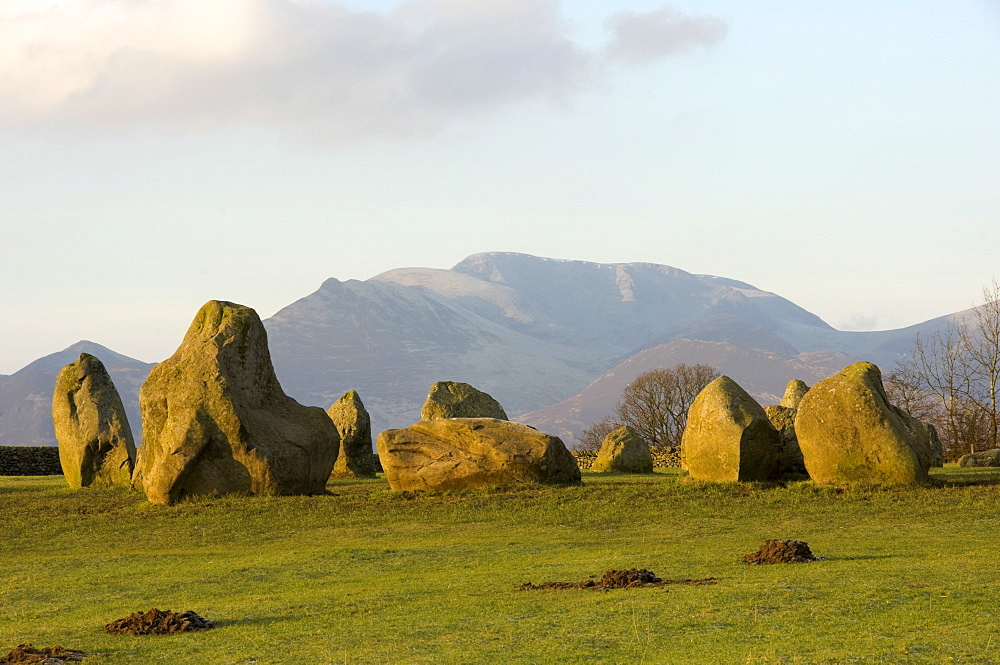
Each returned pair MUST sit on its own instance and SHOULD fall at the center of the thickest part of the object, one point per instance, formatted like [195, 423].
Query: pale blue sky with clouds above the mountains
[155, 154]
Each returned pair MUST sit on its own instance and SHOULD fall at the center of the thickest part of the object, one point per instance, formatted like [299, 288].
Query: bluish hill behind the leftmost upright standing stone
[26, 395]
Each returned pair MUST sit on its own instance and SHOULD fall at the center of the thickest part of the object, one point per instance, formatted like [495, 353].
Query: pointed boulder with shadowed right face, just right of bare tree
[728, 436]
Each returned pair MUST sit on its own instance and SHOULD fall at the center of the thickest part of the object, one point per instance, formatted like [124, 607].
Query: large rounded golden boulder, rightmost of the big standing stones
[848, 432]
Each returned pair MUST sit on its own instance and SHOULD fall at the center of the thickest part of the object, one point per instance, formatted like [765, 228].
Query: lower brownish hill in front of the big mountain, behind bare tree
[764, 374]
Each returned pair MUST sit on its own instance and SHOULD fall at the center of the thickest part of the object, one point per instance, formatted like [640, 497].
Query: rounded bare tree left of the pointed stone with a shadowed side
[657, 402]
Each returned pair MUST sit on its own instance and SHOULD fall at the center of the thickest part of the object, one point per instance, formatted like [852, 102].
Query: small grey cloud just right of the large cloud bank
[645, 36]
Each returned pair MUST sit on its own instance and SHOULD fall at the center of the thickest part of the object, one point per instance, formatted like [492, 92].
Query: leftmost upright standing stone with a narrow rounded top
[95, 441]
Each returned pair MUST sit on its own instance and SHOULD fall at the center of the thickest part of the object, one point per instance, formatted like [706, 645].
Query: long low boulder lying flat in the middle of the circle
[466, 453]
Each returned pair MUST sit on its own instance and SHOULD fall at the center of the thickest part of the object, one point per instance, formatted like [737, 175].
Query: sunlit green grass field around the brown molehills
[372, 576]
